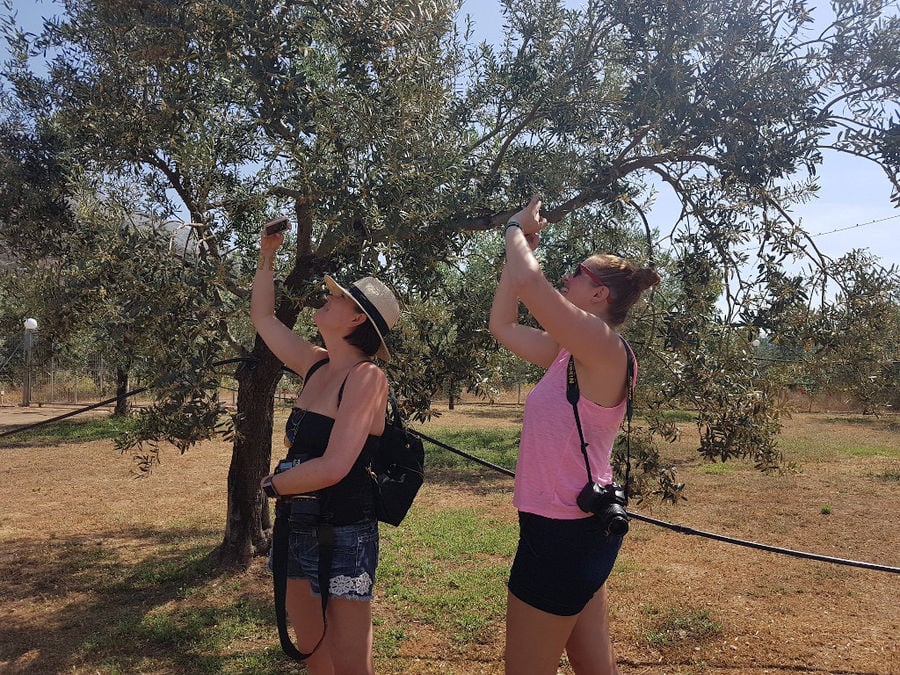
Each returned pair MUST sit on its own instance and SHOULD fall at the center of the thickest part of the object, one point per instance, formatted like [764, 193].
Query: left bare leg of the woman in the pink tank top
[534, 639]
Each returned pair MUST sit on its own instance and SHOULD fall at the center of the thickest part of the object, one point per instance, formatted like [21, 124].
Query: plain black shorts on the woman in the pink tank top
[561, 564]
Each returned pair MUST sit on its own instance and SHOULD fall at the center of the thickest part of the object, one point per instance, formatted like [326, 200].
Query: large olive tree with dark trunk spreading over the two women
[392, 138]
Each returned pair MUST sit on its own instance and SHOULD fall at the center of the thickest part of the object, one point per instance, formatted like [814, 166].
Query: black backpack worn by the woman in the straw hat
[398, 468]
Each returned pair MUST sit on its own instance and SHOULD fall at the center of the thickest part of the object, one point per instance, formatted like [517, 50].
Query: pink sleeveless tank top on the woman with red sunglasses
[550, 469]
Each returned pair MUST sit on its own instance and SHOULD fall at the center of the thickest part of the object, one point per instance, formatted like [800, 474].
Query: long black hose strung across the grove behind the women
[682, 529]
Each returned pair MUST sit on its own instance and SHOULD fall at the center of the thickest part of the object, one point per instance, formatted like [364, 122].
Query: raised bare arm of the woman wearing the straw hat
[293, 351]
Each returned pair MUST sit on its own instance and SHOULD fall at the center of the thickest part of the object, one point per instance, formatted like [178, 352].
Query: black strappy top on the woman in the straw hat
[351, 499]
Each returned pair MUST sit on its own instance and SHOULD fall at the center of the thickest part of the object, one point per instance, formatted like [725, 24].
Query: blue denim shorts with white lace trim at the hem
[353, 565]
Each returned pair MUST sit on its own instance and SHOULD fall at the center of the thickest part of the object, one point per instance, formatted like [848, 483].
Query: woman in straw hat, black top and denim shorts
[335, 426]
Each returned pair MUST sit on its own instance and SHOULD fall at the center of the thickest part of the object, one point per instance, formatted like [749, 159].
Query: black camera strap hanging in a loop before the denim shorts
[280, 541]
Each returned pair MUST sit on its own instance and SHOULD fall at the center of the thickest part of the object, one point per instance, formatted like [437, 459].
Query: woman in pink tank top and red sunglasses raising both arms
[557, 598]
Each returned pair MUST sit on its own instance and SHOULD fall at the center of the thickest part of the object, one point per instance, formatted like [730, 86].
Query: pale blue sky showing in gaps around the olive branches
[853, 210]
